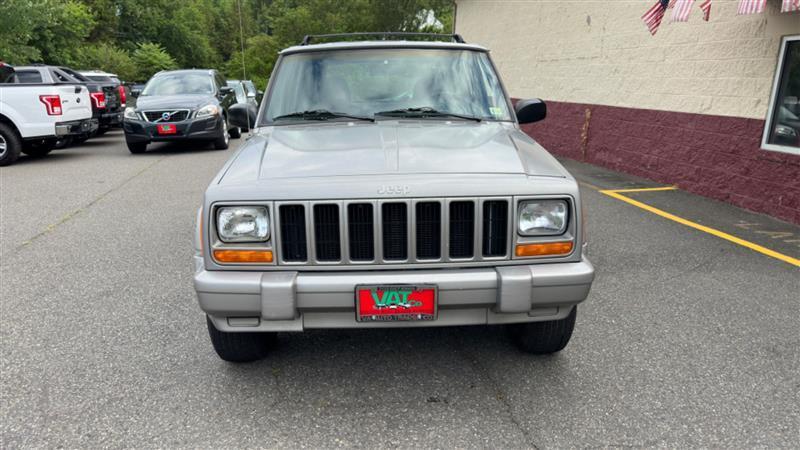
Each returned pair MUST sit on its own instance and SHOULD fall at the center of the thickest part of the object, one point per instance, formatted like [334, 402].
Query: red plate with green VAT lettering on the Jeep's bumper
[389, 303]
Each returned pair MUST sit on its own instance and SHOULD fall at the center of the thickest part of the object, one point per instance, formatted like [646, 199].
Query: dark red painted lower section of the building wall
[715, 156]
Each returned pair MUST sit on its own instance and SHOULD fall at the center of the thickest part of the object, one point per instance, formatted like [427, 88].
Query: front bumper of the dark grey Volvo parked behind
[206, 128]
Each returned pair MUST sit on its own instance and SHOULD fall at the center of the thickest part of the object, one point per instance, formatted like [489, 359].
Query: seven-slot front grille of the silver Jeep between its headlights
[393, 231]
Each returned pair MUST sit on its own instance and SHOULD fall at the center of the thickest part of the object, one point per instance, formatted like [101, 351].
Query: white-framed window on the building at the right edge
[782, 129]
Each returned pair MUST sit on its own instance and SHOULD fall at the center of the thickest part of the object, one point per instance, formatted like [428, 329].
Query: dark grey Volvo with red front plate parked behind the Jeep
[181, 105]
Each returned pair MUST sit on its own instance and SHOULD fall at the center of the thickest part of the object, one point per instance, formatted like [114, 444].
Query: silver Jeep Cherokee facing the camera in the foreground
[387, 183]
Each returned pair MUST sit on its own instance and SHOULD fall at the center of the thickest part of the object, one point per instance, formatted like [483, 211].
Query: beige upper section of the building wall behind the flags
[599, 52]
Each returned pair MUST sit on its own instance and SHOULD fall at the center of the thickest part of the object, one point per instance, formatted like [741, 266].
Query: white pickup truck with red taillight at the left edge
[34, 116]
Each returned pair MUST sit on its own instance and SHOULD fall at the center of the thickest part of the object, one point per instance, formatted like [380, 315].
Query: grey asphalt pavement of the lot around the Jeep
[686, 340]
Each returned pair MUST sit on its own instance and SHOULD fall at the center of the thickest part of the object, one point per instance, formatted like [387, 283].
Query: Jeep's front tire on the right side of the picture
[544, 337]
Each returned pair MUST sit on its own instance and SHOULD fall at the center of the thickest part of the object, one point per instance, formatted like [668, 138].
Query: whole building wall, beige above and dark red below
[685, 106]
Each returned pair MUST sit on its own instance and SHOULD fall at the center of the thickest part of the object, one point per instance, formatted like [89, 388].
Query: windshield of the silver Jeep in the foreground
[368, 81]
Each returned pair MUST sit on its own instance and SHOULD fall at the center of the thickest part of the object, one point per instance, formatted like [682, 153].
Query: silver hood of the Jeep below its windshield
[390, 148]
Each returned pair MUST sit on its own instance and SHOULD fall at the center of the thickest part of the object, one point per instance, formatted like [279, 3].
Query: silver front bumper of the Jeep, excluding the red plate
[294, 301]
